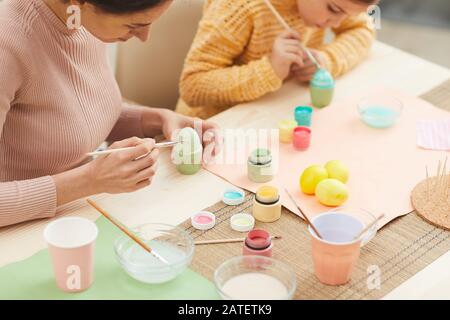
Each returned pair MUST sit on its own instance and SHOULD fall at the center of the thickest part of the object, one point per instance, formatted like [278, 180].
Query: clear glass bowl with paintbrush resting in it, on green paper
[172, 243]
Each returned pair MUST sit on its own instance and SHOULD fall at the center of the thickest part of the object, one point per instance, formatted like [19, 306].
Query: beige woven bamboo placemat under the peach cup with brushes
[401, 249]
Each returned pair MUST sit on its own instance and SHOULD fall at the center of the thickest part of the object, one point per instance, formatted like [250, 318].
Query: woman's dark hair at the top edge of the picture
[124, 6]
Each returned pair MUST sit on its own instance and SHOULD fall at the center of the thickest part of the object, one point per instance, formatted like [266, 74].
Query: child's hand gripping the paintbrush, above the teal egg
[286, 52]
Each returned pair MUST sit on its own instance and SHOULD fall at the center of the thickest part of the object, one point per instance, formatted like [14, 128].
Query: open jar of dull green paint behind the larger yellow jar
[259, 166]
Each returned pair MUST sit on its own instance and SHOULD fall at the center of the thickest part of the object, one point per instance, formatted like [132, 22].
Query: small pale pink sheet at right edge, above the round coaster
[434, 134]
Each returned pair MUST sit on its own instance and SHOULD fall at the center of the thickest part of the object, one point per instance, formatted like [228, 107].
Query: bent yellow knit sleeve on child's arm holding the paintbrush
[211, 76]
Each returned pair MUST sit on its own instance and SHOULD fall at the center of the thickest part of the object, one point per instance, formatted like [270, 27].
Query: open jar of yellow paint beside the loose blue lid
[267, 204]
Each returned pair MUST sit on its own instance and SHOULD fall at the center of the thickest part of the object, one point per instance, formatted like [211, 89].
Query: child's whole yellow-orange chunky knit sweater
[228, 61]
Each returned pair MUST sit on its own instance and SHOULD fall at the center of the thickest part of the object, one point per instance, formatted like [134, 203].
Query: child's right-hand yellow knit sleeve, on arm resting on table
[351, 45]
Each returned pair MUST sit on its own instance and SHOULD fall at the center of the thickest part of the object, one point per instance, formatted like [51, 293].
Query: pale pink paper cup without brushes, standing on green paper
[71, 243]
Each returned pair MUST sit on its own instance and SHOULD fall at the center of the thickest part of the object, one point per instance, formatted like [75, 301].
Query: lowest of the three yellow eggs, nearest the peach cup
[331, 192]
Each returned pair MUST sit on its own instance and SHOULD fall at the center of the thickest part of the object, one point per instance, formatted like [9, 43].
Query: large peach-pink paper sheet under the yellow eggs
[385, 164]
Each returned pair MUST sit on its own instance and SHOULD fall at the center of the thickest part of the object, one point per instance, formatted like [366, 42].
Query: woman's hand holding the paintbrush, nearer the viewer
[127, 170]
